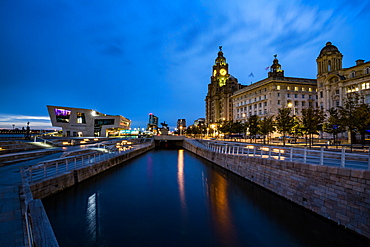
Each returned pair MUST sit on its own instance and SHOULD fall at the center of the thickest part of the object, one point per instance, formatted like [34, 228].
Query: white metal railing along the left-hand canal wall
[51, 168]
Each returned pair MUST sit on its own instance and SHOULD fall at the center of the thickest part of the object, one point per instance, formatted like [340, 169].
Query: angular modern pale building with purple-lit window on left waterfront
[86, 122]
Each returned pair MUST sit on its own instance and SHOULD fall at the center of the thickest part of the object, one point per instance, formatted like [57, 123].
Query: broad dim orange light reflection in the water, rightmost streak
[220, 210]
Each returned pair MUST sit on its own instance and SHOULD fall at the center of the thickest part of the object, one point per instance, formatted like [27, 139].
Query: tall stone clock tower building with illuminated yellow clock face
[220, 90]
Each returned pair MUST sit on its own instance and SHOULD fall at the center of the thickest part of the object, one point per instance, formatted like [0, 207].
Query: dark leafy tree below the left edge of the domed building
[312, 120]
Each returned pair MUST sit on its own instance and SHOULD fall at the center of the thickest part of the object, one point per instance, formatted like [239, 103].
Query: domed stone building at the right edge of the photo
[335, 83]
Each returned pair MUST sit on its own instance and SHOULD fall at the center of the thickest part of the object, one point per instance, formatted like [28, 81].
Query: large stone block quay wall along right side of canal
[339, 194]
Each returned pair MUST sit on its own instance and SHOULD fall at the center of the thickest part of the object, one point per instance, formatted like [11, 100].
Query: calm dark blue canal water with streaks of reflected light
[173, 198]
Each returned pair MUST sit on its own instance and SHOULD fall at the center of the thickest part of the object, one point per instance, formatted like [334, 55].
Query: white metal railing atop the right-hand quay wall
[293, 154]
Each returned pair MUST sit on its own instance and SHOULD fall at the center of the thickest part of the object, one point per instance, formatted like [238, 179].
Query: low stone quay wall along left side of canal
[49, 186]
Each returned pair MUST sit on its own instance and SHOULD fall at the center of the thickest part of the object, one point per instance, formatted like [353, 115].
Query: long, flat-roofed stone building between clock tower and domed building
[265, 97]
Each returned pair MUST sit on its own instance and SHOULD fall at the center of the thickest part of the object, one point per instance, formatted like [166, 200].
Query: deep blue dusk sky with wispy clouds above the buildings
[132, 58]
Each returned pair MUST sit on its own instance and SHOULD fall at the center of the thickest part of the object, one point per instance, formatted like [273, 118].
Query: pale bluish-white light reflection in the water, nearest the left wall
[92, 218]
